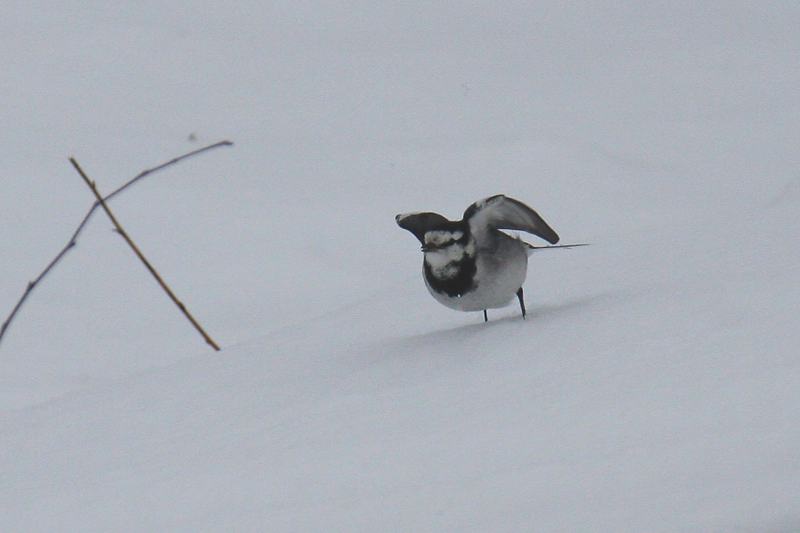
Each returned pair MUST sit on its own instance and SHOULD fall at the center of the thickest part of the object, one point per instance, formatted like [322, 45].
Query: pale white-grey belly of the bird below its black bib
[498, 276]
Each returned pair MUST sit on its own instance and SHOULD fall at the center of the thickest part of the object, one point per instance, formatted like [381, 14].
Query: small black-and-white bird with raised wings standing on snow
[469, 264]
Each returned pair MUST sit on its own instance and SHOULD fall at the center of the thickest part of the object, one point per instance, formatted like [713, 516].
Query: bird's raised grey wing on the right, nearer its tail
[502, 212]
